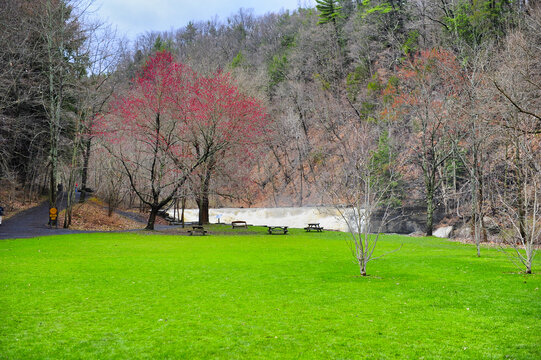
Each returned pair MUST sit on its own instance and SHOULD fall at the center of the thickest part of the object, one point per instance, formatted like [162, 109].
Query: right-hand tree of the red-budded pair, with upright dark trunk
[229, 127]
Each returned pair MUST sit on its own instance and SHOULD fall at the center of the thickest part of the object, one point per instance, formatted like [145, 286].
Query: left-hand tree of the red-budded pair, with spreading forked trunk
[148, 130]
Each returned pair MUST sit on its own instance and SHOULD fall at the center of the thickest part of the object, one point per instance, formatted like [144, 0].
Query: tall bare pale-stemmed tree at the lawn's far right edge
[517, 84]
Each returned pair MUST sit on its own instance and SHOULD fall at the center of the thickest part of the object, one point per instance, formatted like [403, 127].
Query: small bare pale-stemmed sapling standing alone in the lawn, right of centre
[366, 189]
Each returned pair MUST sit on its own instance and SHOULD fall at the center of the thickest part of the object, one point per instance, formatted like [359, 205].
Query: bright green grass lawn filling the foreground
[259, 296]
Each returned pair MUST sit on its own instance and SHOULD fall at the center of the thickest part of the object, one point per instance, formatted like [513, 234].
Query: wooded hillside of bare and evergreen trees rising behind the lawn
[426, 103]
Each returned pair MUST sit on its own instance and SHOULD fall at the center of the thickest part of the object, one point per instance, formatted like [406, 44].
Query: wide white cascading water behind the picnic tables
[295, 217]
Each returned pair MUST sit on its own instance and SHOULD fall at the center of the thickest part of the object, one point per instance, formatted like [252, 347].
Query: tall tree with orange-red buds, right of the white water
[429, 84]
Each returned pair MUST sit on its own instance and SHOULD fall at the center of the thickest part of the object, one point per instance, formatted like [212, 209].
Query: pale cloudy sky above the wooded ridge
[134, 17]
